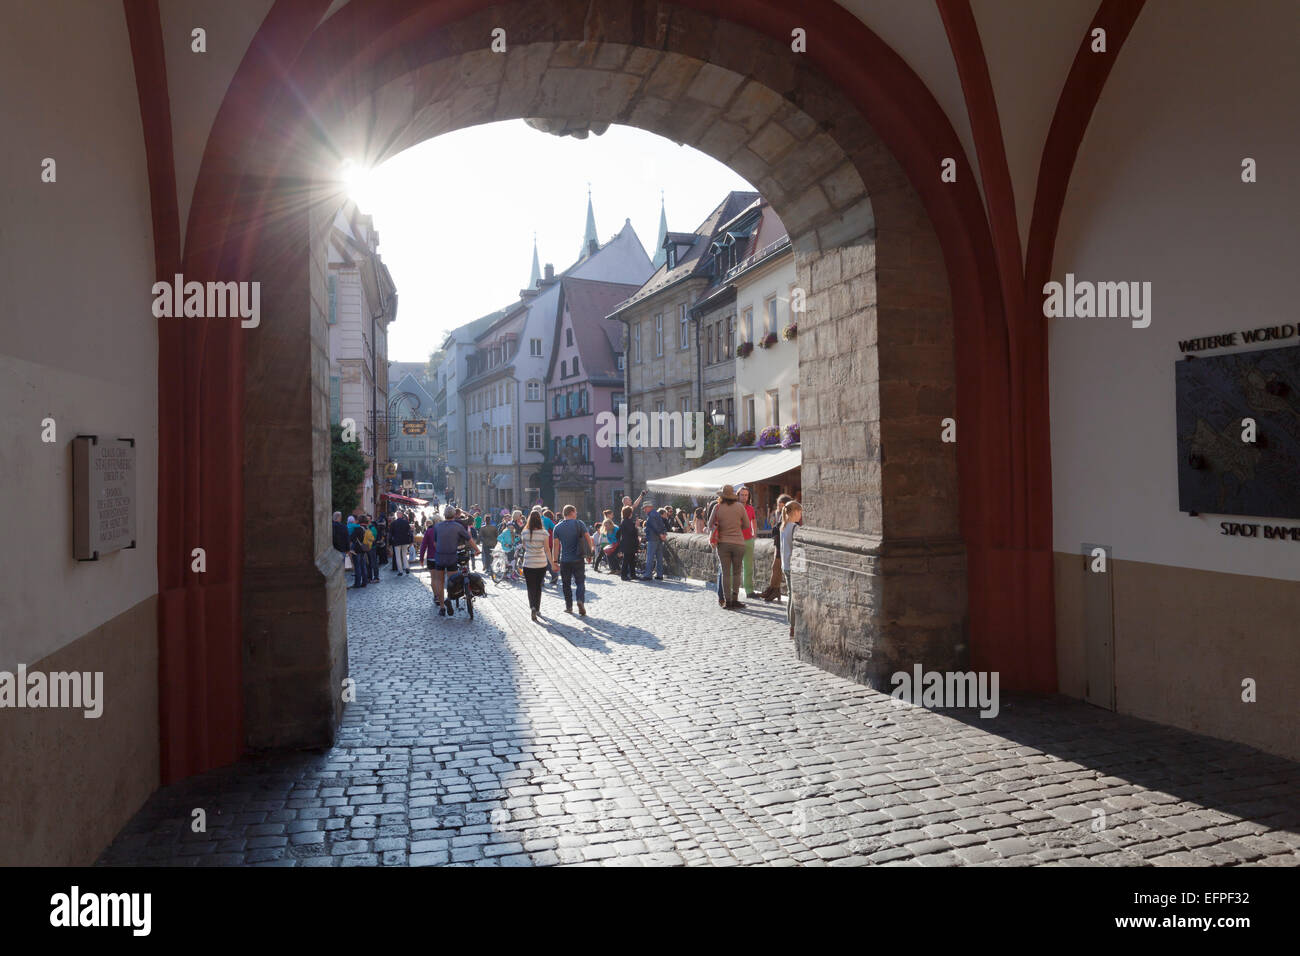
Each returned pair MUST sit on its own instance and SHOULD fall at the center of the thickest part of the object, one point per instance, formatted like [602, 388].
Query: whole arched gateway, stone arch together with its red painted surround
[904, 328]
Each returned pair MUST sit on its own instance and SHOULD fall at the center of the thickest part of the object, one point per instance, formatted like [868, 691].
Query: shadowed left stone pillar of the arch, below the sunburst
[294, 592]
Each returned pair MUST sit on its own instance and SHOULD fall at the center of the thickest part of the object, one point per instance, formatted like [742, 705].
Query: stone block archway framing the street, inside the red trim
[887, 578]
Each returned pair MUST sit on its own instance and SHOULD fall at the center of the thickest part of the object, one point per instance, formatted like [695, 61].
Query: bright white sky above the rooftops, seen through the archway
[457, 214]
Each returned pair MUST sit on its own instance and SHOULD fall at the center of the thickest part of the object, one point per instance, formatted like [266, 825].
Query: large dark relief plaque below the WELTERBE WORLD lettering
[1219, 471]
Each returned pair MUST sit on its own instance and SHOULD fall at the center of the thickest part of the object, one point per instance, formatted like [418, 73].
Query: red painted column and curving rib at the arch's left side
[201, 422]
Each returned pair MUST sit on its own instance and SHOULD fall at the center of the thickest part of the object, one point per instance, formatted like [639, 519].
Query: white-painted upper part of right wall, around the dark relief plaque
[1158, 197]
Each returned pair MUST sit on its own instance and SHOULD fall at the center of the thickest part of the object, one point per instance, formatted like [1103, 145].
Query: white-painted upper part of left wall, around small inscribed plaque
[79, 341]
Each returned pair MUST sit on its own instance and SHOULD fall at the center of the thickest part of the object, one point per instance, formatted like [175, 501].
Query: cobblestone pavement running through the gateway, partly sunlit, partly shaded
[662, 730]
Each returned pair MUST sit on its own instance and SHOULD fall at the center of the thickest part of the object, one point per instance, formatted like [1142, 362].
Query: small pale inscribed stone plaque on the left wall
[103, 496]
